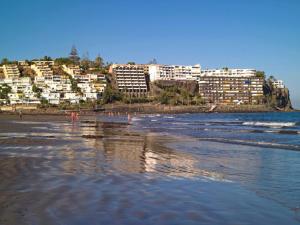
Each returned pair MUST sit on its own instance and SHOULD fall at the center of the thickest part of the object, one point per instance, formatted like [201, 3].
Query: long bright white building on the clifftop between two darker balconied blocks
[174, 72]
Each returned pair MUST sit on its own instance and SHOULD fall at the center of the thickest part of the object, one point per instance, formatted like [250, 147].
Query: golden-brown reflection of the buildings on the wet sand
[108, 147]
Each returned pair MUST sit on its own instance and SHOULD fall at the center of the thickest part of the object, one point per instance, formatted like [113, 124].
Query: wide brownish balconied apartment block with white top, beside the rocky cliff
[231, 86]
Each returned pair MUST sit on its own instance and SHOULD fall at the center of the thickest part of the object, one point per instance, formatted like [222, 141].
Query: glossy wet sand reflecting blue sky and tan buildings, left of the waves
[56, 172]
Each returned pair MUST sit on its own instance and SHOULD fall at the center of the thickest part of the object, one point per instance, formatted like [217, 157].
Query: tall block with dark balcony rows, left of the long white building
[130, 79]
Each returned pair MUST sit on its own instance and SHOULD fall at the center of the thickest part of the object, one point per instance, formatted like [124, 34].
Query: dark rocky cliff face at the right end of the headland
[278, 98]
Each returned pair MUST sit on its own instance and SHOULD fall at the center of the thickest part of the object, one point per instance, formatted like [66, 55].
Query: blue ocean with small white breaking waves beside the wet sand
[258, 151]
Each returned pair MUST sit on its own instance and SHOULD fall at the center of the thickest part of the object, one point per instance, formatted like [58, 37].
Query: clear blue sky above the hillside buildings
[259, 34]
